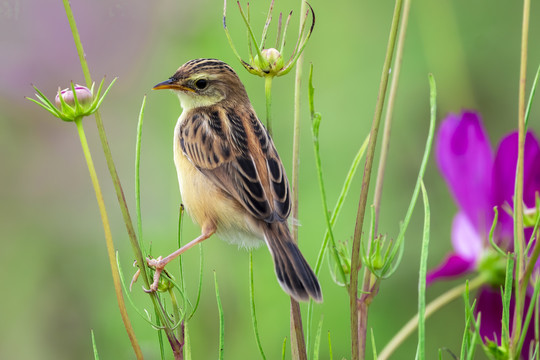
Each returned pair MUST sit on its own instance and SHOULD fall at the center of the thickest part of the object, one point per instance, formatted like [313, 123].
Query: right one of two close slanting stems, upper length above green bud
[385, 141]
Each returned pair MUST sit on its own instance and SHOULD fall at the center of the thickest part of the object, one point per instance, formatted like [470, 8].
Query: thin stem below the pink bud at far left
[108, 240]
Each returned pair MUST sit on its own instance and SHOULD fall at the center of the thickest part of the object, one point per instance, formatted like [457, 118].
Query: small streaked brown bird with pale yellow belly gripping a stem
[231, 179]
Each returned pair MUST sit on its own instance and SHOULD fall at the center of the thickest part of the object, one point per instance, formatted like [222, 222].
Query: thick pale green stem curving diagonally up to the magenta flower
[431, 308]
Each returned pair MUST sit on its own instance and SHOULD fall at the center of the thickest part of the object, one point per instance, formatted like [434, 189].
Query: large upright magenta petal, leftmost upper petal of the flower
[465, 159]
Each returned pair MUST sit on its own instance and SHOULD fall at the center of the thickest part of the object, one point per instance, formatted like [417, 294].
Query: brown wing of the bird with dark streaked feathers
[240, 158]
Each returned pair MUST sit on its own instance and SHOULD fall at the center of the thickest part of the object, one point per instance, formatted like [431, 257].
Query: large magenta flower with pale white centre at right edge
[479, 181]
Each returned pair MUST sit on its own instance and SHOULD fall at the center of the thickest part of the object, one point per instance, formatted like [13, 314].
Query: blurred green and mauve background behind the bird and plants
[55, 274]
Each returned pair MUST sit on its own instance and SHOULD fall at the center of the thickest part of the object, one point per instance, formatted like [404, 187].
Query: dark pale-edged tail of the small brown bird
[292, 270]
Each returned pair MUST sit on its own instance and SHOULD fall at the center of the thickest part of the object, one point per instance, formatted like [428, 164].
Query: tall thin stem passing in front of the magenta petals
[519, 237]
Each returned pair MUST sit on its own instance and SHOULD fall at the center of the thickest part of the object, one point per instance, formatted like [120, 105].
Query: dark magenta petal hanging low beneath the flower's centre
[489, 304]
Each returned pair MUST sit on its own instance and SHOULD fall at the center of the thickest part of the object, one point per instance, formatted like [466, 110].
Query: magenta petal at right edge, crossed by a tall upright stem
[504, 173]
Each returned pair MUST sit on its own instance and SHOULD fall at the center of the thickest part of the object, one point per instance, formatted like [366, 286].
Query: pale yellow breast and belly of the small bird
[207, 204]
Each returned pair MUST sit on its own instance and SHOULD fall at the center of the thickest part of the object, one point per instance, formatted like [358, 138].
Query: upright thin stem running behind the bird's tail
[298, 344]
